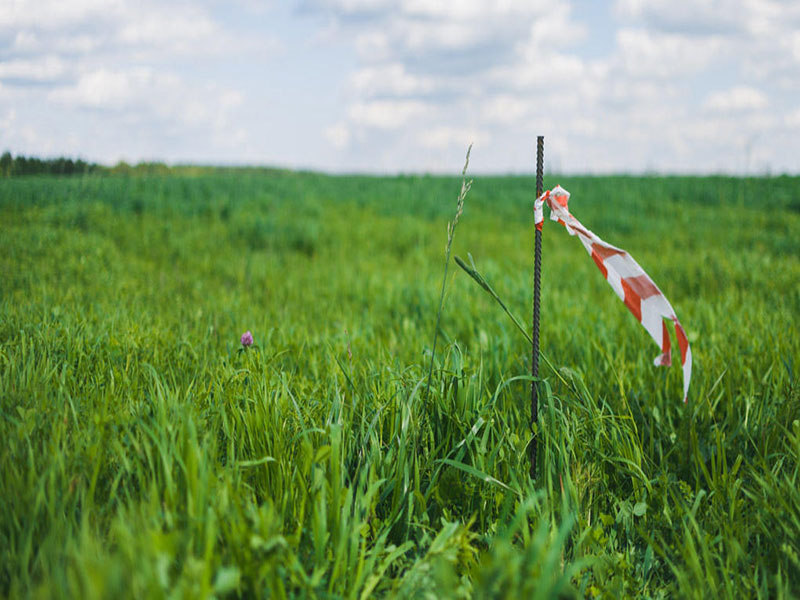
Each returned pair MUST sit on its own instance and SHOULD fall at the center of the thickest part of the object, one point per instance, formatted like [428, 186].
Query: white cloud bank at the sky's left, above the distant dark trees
[129, 70]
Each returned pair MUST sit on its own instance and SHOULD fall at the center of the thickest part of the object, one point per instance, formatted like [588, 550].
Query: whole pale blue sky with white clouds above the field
[387, 86]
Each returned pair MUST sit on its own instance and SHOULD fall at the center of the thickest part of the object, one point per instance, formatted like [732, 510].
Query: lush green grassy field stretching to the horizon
[145, 453]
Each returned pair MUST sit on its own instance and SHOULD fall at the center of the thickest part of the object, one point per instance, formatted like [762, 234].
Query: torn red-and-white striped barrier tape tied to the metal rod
[633, 286]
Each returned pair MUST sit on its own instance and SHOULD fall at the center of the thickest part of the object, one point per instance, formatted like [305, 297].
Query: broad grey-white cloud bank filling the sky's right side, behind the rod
[678, 86]
